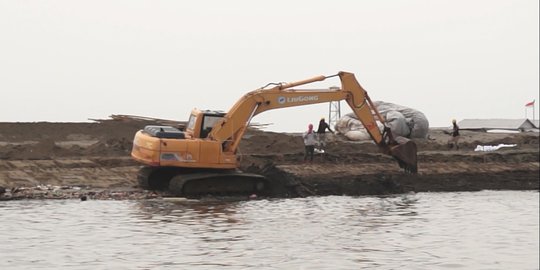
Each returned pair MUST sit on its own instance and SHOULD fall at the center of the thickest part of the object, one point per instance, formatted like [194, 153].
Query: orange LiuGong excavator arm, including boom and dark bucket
[230, 129]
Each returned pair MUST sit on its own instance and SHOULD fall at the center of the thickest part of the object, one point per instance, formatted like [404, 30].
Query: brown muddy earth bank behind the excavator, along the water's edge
[92, 161]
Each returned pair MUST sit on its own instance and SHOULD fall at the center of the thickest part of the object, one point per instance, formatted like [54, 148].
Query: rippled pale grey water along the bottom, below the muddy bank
[469, 230]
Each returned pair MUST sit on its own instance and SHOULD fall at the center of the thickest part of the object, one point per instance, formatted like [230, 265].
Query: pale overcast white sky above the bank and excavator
[70, 61]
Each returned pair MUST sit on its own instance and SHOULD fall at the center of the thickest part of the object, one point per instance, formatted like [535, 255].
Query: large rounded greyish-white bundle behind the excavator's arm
[403, 121]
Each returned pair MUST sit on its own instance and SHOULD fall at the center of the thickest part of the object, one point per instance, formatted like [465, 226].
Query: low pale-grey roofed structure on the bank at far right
[498, 124]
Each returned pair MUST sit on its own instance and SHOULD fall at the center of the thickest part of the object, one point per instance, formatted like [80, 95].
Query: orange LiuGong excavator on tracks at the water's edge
[202, 158]
